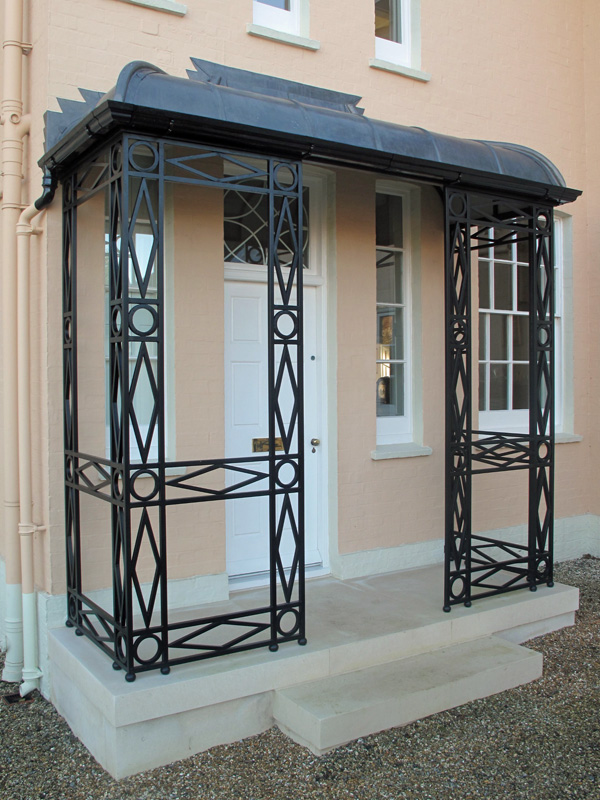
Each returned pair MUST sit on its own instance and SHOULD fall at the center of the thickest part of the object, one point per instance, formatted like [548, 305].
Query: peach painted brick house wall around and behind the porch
[526, 73]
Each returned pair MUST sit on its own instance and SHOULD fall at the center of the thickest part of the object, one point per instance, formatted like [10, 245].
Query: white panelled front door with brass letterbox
[246, 418]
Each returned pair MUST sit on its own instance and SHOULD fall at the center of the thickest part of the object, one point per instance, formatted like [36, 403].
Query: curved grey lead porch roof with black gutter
[217, 104]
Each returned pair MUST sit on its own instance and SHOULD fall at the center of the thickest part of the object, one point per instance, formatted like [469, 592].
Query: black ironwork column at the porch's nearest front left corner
[138, 332]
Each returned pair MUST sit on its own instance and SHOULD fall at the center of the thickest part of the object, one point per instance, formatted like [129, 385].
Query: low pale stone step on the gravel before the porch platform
[326, 713]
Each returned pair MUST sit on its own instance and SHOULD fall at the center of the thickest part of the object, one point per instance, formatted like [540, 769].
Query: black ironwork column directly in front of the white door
[286, 472]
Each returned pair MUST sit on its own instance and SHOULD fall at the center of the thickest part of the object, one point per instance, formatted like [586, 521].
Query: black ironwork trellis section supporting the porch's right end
[476, 565]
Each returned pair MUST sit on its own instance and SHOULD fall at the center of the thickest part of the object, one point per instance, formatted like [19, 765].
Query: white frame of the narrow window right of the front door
[400, 429]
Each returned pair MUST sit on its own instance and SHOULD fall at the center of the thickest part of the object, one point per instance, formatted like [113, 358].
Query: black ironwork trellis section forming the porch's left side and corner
[132, 477]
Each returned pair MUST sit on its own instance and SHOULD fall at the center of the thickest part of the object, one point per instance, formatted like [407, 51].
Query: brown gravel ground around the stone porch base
[538, 741]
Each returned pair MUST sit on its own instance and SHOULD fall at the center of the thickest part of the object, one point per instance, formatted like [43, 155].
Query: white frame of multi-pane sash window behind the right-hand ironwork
[517, 420]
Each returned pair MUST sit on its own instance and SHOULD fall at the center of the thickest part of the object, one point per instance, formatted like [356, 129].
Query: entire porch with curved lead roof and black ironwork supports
[152, 129]
